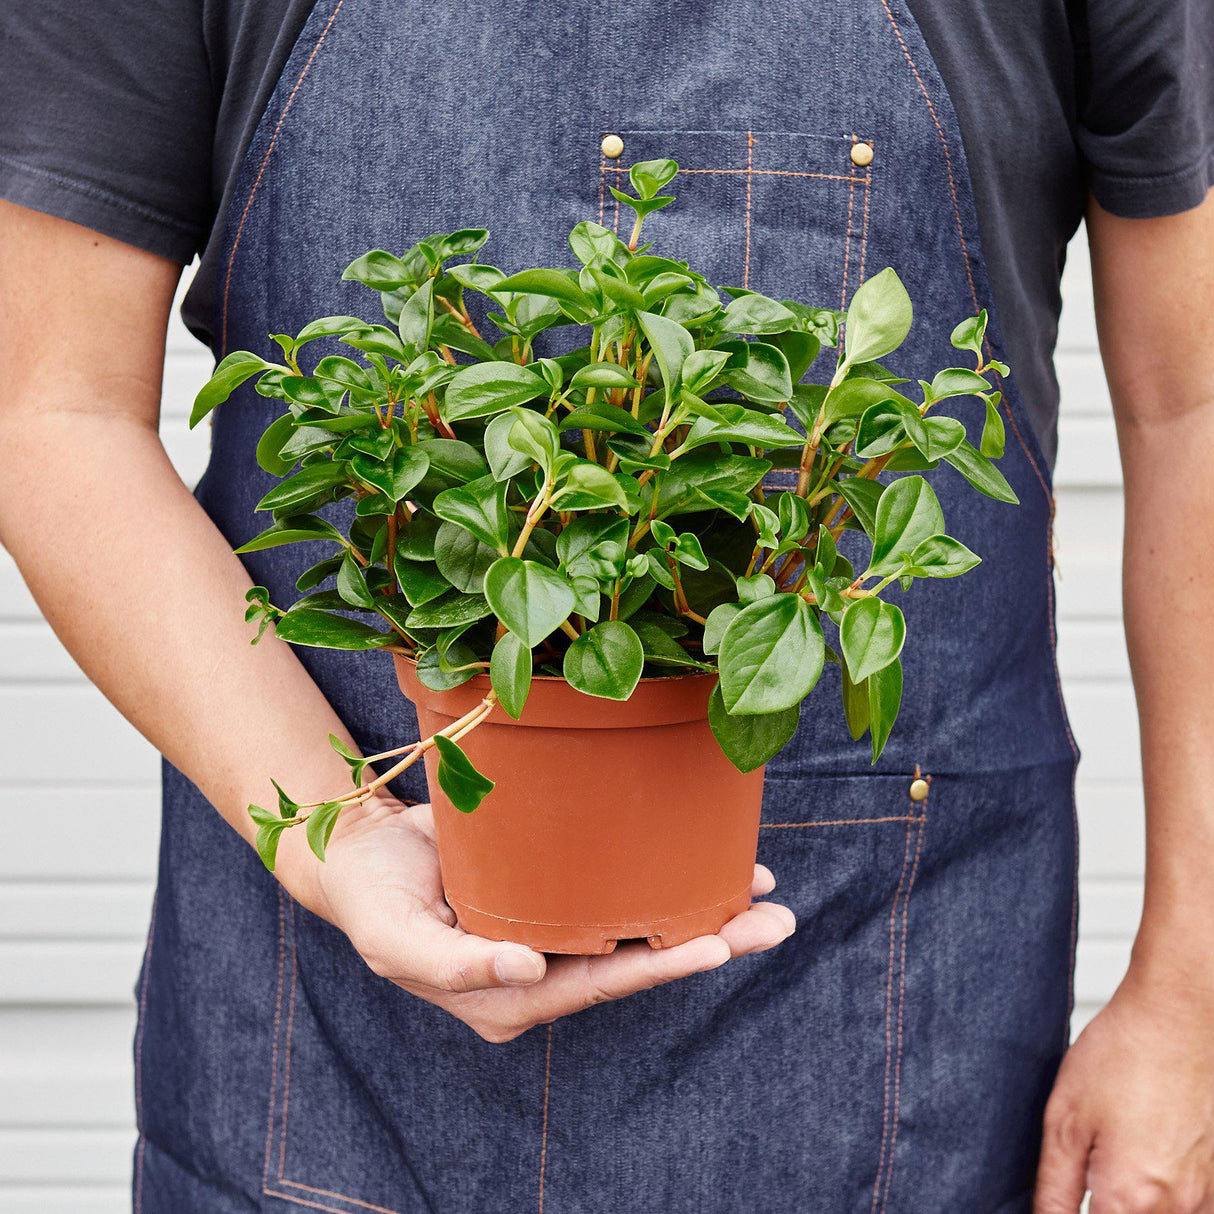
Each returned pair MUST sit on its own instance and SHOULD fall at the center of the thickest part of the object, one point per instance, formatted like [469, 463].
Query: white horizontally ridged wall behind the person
[80, 847]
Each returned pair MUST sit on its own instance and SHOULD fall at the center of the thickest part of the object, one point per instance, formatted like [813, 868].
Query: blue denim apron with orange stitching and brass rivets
[895, 1054]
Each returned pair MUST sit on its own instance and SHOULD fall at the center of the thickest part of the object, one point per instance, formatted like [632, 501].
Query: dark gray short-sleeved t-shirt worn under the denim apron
[133, 117]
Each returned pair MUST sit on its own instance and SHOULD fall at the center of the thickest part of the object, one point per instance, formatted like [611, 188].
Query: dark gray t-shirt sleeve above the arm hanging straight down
[1147, 105]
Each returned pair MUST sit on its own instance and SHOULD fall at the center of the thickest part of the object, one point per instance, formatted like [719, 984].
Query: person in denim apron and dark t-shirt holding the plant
[826, 1076]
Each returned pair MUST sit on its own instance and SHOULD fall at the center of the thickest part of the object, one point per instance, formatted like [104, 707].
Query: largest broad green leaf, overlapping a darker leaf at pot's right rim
[771, 656]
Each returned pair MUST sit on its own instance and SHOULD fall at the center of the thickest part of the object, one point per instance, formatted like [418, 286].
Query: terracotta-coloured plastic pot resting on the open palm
[610, 820]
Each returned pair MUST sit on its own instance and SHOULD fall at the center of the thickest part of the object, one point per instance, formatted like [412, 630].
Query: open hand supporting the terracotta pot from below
[382, 887]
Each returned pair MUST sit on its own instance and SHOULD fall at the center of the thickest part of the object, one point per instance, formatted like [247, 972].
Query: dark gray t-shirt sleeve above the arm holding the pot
[109, 118]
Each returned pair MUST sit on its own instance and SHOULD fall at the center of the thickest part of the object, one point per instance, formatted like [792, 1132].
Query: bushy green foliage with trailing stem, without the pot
[603, 514]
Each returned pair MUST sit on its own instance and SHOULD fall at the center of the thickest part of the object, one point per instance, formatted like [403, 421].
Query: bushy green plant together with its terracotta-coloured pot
[577, 569]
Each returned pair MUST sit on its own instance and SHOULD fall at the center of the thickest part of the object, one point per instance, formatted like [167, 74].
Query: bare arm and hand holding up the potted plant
[148, 597]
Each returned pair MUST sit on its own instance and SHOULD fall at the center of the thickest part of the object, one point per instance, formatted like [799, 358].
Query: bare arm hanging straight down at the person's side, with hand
[1132, 1116]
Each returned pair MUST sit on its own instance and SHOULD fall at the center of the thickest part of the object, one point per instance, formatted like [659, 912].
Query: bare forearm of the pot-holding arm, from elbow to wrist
[148, 597]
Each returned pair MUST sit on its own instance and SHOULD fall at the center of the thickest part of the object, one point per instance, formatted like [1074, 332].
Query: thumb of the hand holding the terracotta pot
[434, 955]
